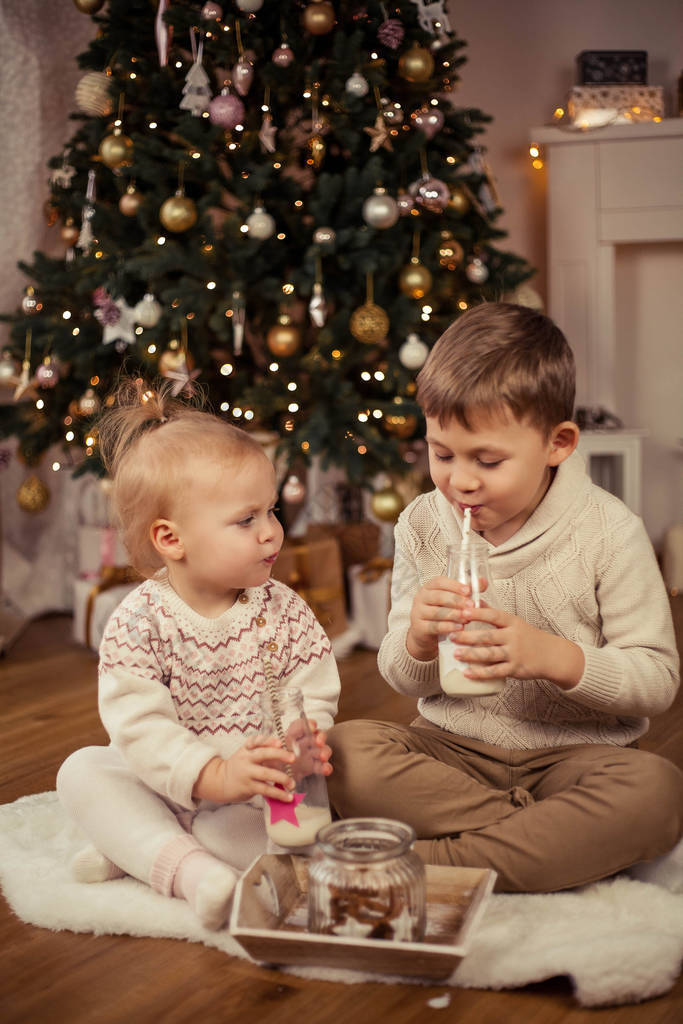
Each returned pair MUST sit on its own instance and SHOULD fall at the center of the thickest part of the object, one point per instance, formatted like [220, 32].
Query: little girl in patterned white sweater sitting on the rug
[177, 799]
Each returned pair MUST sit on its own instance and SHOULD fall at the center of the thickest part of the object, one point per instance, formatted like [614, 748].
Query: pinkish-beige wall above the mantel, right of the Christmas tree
[522, 65]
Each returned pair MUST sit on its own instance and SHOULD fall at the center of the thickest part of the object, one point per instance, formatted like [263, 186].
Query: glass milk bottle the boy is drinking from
[468, 564]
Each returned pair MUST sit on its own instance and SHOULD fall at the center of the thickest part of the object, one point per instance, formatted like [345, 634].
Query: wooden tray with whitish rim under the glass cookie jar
[270, 917]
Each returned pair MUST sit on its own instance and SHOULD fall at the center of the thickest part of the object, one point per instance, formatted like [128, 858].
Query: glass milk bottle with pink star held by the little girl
[295, 824]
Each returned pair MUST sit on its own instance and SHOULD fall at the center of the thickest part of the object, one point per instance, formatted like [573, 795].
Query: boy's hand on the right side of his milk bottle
[513, 648]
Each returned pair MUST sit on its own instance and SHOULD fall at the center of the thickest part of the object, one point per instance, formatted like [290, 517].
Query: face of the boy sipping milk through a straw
[500, 470]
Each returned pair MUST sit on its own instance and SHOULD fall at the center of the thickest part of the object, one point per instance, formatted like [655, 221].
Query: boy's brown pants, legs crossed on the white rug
[544, 820]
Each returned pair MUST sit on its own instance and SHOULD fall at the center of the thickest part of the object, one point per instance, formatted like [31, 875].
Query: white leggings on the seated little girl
[132, 825]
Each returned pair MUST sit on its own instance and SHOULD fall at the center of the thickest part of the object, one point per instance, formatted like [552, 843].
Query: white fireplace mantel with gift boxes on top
[609, 187]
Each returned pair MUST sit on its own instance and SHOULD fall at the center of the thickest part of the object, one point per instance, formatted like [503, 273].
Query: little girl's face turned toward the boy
[228, 533]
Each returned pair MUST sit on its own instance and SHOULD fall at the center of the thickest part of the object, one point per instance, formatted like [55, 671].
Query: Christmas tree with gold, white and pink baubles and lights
[279, 202]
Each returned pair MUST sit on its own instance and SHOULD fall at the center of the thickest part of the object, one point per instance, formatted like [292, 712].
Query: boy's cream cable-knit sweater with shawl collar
[582, 568]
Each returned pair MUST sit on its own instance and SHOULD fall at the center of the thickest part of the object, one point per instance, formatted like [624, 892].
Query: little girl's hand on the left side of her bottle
[249, 772]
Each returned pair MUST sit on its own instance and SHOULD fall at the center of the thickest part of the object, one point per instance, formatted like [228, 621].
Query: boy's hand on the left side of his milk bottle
[433, 615]
